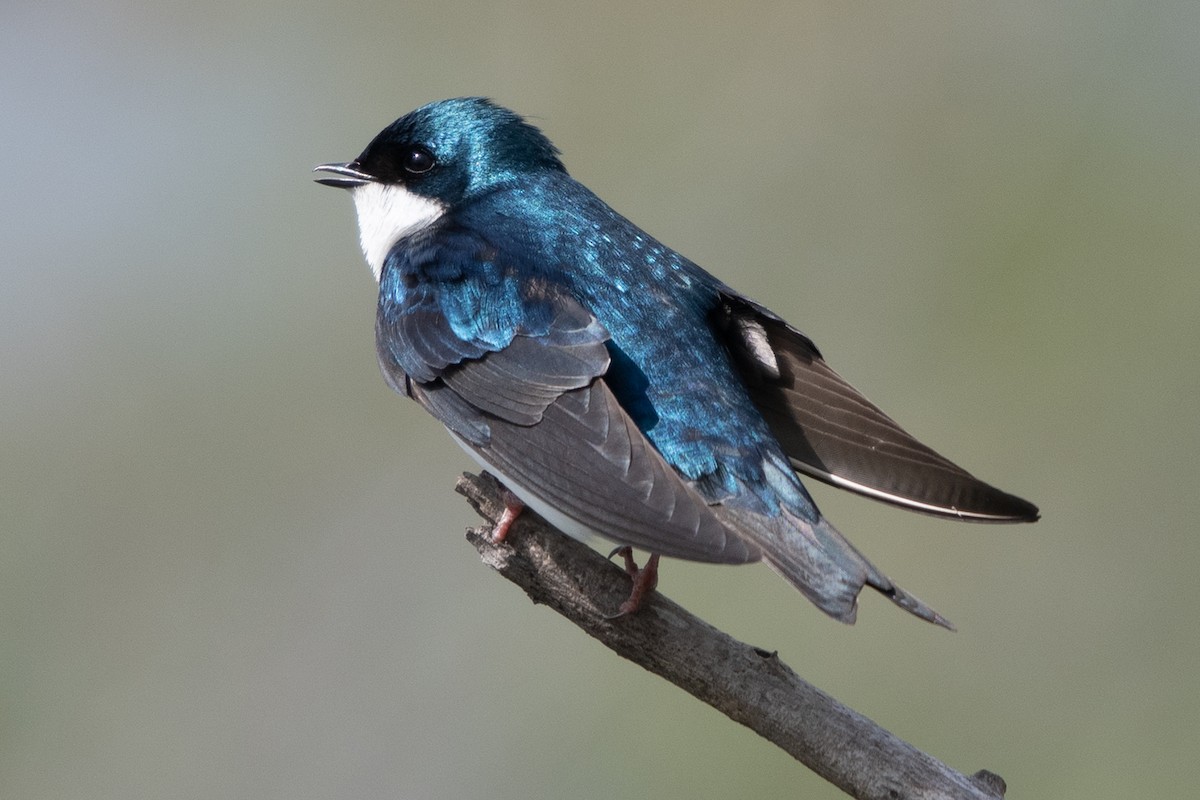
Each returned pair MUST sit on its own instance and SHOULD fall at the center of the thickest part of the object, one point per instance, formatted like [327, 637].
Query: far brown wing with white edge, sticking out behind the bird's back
[833, 434]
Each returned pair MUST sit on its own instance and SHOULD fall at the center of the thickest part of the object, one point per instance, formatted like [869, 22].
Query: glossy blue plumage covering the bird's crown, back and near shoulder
[470, 284]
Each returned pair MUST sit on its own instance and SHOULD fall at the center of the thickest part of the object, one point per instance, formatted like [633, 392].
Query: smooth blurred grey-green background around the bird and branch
[232, 562]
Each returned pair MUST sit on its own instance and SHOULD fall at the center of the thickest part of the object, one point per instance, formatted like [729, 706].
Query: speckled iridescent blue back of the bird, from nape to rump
[674, 378]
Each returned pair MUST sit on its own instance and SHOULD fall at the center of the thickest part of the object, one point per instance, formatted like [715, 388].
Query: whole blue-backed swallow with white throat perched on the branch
[611, 384]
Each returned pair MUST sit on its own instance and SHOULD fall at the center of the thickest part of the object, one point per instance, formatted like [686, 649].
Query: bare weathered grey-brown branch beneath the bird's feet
[747, 684]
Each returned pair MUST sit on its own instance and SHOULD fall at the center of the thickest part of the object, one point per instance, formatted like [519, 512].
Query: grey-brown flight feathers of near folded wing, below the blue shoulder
[539, 414]
